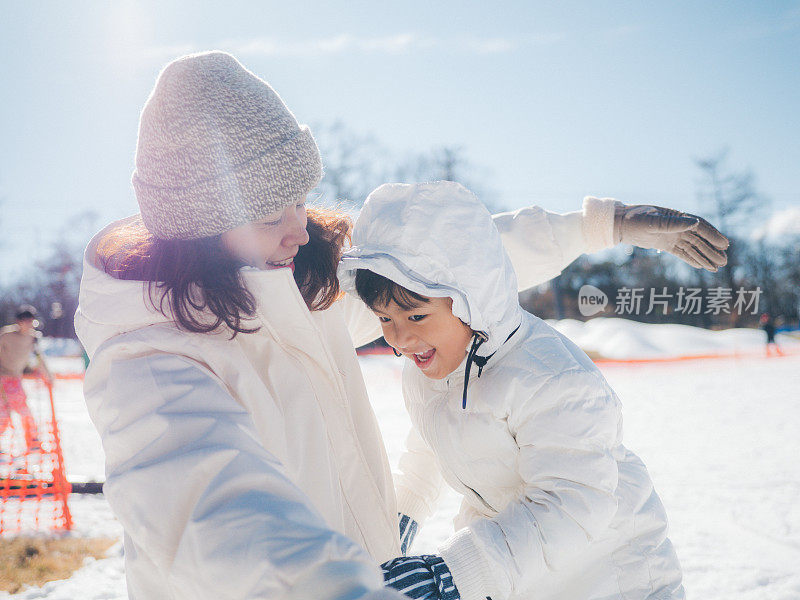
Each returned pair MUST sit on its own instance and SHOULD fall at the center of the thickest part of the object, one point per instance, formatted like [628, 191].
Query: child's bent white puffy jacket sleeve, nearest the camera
[566, 439]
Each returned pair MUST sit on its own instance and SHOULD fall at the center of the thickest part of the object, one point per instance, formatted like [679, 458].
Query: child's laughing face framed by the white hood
[429, 334]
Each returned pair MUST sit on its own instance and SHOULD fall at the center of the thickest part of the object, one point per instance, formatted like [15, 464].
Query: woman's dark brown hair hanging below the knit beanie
[198, 277]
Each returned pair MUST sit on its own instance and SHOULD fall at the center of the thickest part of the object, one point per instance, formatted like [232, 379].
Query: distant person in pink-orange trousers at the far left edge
[18, 344]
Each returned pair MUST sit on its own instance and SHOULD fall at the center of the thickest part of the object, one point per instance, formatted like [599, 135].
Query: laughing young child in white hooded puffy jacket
[508, 411]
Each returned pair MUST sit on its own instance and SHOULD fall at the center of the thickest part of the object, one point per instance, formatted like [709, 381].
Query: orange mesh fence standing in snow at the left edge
[33, 484]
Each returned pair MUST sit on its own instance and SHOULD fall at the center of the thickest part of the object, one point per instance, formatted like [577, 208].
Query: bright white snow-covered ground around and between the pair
[720, 438]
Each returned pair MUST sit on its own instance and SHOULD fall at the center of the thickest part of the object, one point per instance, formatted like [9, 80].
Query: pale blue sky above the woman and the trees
[553, 100]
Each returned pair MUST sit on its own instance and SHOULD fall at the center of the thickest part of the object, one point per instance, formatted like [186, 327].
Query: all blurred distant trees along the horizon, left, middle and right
[355, 164]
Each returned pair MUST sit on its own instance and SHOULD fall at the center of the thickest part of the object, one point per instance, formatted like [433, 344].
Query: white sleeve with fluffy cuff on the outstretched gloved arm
[542, 243]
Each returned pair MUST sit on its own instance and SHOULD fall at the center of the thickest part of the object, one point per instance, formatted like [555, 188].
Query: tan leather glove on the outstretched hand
[691, 238]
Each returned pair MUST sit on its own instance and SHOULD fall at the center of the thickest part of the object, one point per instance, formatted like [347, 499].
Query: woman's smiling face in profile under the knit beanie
[271, 242]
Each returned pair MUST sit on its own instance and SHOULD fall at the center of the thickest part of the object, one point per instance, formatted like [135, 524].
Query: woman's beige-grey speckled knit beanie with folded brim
[217, 149]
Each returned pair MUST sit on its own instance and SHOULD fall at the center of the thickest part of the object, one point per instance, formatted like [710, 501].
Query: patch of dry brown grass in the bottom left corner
[35, 561]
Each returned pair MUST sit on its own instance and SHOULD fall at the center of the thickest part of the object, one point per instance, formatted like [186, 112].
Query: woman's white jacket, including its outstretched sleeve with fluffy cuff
[244, 468]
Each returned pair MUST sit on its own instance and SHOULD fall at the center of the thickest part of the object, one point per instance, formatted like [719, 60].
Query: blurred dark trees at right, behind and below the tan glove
[762, 275]
